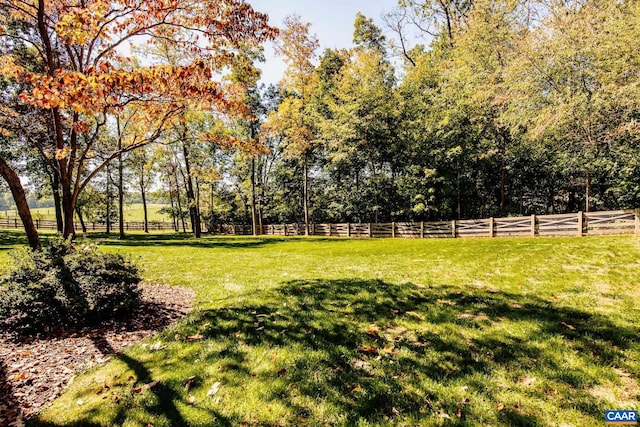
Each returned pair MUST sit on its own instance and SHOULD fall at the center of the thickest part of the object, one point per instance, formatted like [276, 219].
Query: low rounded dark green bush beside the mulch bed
[65, 286]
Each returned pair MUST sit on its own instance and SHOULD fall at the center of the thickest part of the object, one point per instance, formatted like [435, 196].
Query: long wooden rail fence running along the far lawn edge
[575, 224]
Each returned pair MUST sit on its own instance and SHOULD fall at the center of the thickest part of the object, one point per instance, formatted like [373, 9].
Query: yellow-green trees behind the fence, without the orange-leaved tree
[510, 107]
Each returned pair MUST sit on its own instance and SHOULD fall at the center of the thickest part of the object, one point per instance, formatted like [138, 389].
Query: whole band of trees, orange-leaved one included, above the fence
[508, 107]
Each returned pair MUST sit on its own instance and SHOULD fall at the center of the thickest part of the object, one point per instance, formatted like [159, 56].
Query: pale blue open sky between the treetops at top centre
[331, 21]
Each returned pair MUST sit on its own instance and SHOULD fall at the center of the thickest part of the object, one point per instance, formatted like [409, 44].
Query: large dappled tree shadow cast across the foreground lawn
[369, 351]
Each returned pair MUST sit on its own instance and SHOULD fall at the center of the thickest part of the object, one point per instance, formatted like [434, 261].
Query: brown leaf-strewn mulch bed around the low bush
[35, 371]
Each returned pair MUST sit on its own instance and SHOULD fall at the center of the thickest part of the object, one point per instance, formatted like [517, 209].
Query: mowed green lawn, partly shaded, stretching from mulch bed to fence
[377, 332]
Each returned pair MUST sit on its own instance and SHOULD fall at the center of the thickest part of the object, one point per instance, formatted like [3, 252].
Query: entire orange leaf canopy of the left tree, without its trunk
[87, 68]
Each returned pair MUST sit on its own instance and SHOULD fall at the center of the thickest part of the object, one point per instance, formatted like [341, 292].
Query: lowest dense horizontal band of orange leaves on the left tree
[109, 90]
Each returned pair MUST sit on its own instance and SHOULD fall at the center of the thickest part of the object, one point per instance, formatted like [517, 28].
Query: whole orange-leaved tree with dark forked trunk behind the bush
[82, 77]
